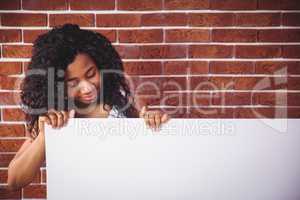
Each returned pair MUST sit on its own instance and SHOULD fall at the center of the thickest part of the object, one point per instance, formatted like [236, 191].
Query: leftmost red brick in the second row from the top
[23, 19]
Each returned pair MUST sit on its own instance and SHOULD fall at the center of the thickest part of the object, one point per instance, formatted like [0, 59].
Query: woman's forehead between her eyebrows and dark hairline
[80, 64]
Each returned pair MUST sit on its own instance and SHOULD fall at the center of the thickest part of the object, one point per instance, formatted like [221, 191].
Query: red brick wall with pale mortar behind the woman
[209, 58]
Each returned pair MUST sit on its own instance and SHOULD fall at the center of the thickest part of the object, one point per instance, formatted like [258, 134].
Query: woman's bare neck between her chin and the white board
[97, 112]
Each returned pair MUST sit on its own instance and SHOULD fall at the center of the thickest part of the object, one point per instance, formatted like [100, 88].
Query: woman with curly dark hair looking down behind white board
[72, 73]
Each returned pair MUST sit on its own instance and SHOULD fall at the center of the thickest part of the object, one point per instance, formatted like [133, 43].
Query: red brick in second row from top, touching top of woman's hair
[86, 20]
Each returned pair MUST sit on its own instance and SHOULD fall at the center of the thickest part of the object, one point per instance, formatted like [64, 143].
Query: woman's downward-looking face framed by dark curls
[83, 79]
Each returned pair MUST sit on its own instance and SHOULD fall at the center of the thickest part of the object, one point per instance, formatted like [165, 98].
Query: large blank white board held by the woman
[189, 159]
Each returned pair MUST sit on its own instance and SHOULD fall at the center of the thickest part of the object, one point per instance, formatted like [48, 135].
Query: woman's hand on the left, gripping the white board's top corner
[56, 119]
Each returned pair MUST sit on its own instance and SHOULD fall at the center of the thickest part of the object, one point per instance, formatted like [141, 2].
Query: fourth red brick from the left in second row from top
[164, 19]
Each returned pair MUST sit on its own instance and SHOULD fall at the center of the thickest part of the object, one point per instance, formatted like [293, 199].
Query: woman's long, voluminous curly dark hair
[55, 50]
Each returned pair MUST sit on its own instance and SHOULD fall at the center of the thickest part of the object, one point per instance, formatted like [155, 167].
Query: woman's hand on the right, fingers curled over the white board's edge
[153, 118]
